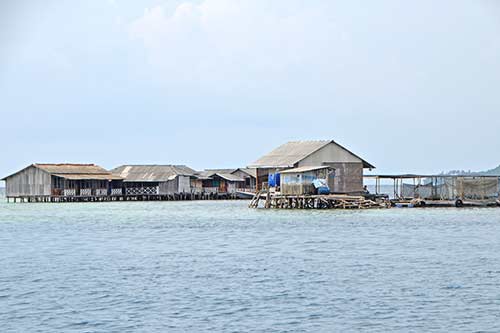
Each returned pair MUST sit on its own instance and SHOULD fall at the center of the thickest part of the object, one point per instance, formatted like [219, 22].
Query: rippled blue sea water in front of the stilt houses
[219, 266]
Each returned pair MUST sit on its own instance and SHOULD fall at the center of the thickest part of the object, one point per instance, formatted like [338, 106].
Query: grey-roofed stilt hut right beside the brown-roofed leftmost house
[155, 179]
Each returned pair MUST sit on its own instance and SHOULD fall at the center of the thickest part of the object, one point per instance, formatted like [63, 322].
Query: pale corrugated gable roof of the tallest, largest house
[288, 154]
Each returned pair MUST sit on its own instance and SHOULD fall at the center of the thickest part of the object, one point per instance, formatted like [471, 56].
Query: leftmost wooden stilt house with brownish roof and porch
[41, 180]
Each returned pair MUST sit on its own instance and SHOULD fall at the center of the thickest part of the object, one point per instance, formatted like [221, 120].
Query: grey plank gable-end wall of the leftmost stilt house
[29, 182]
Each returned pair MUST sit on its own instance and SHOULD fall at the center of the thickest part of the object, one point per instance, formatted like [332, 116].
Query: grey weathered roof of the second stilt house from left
[152, 173]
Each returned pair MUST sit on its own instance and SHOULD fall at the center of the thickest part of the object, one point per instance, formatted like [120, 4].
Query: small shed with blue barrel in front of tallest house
[299, 181]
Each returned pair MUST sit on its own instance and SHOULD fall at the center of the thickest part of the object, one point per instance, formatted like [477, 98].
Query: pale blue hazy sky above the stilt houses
[411, 87]
